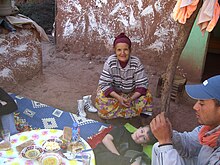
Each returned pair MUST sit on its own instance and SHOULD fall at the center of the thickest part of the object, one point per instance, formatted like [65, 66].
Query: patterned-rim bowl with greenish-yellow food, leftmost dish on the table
[32, 152]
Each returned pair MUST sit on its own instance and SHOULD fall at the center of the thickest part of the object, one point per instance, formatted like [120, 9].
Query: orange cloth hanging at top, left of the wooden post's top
[184, 9]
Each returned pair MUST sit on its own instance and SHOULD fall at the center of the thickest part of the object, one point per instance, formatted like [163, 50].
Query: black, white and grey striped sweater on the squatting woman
[123, 80]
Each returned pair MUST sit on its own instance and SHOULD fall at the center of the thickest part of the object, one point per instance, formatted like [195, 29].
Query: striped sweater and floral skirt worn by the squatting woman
[124, 81]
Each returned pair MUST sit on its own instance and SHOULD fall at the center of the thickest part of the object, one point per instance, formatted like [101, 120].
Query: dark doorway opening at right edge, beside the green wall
[212, 63]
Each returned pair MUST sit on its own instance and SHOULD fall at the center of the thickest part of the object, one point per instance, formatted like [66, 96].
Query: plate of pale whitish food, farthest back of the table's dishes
[52, 145]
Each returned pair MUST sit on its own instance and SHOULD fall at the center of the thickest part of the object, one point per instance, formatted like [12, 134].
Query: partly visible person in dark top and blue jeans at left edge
[7, 107]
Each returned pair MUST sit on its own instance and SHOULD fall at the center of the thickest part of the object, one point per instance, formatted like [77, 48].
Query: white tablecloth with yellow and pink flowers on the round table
[39, 136]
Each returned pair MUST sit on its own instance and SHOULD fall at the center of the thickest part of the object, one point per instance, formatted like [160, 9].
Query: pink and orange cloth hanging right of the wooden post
[208, 15]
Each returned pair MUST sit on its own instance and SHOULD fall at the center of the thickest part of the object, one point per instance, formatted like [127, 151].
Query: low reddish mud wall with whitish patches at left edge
[20, 55]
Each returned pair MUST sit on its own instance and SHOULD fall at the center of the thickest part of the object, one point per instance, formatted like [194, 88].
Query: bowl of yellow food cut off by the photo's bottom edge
[51, 159]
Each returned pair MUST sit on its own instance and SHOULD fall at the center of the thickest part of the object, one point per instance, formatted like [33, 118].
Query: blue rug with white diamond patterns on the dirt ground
[35, 115]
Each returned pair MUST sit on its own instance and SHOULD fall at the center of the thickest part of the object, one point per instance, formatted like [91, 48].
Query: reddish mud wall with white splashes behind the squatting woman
[90, 27]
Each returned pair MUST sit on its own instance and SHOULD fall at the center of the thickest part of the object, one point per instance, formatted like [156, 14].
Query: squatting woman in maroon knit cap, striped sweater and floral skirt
[123, 85]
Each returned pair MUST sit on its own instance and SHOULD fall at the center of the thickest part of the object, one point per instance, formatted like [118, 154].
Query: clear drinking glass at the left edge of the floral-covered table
[5, 144]
